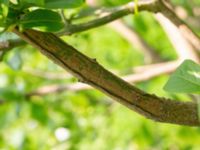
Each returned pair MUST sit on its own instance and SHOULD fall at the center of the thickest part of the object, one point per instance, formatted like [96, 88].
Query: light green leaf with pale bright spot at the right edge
[186, 79]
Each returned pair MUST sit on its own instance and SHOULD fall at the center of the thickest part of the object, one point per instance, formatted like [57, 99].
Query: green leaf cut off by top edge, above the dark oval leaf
[56, 4]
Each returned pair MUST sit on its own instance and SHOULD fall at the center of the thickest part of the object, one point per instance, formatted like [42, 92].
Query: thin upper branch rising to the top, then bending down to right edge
[154, 6]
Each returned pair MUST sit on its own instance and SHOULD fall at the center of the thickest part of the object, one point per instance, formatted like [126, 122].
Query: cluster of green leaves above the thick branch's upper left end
[40, 14]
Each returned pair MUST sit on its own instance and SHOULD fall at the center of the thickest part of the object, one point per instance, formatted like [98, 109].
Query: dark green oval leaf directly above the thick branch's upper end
[45, 20]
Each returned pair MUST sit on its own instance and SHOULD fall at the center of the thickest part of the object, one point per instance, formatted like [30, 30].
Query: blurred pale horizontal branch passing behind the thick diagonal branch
[144, 73]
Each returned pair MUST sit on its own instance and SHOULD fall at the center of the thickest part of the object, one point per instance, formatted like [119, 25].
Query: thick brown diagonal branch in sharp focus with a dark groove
[90, 72]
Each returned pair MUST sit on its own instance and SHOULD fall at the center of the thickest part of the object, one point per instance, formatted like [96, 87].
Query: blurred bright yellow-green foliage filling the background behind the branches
[87, 120]
